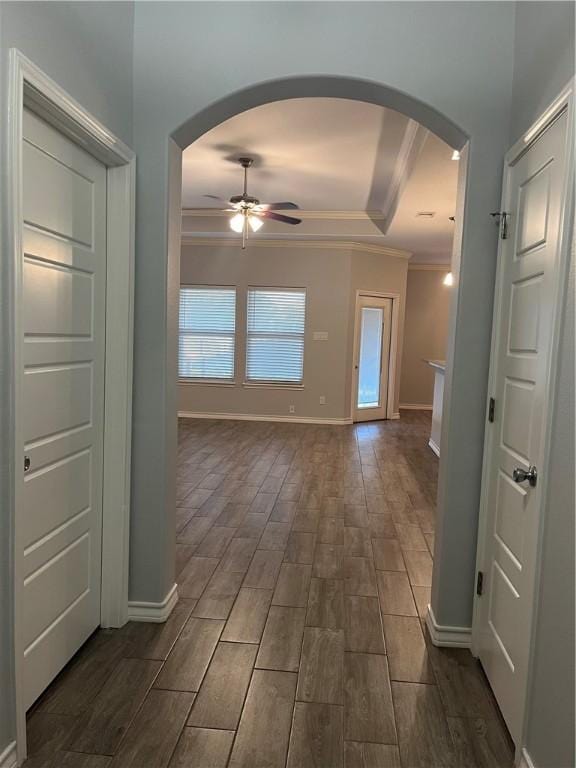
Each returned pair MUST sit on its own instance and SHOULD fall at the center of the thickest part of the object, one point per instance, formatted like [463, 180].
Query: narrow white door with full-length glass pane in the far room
[372, 357]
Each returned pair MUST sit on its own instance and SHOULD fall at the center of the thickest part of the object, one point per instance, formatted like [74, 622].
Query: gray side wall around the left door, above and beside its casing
[87, 49]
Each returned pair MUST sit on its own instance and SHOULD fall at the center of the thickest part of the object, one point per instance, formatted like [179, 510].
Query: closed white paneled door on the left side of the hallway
[61, 400]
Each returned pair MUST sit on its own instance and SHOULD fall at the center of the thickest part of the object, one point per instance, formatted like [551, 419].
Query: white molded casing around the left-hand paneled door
[29, 87]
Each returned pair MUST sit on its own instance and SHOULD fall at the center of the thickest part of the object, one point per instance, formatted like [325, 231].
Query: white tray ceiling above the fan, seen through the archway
[330, 155]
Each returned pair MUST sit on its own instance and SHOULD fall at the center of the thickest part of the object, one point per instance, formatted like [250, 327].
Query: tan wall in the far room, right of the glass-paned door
[425, 333]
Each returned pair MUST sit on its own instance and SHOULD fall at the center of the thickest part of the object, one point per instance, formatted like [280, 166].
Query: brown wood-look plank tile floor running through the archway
[304, 559]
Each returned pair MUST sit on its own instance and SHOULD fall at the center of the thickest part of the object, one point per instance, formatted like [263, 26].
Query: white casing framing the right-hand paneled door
[565, 101]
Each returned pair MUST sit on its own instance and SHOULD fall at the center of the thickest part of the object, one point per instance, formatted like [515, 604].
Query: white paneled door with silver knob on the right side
[522, 341]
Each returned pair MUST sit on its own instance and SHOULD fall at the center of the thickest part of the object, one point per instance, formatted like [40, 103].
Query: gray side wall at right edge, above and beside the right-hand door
[543, 64]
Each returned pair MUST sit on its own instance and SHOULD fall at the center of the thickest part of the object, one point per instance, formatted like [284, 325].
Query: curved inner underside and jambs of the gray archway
[449, 551]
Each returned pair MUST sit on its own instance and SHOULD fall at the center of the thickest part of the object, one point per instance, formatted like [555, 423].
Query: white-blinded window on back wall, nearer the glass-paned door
[275, 340]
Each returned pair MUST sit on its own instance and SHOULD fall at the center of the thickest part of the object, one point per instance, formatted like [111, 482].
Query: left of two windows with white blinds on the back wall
[206, 338]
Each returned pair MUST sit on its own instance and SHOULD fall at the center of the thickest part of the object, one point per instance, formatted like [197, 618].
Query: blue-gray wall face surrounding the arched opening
[202, 61]
